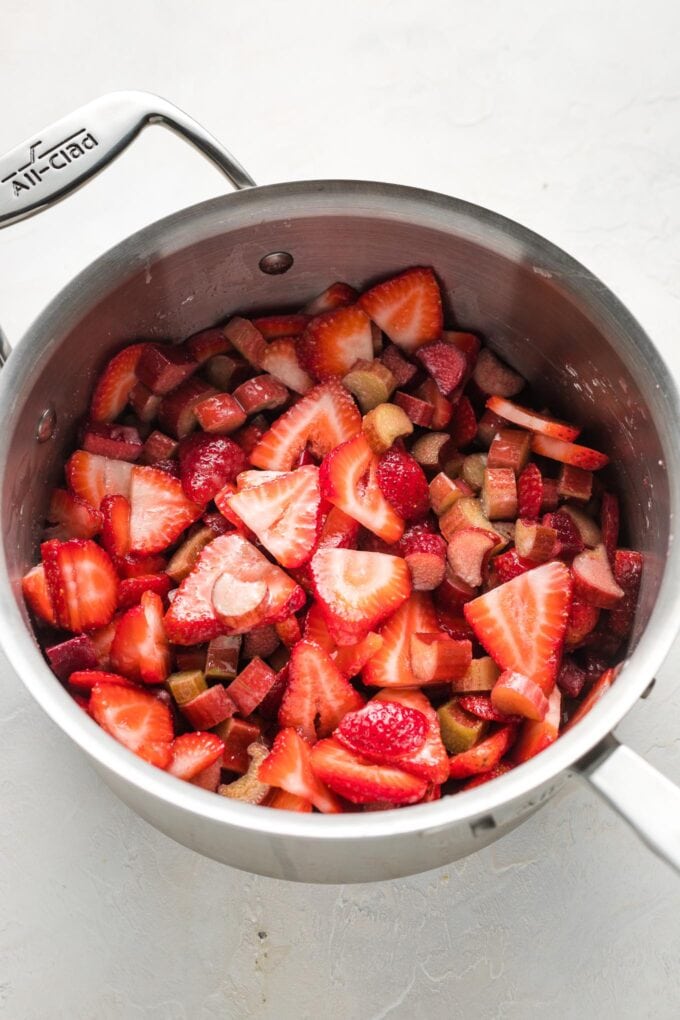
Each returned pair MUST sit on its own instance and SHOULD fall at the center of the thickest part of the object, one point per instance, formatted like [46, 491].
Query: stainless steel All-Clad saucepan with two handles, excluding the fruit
[276, 246]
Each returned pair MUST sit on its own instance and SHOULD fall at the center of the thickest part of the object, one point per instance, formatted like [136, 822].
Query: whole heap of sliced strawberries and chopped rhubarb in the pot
[332, 560]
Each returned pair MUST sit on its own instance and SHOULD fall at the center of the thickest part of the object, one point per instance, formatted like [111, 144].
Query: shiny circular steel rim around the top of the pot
[336, 198]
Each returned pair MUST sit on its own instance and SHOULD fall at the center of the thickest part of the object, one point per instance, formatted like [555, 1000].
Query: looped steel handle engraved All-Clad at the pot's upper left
[61, 159]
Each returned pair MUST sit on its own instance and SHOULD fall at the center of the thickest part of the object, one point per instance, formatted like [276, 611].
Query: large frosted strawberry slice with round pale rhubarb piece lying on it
[192, 618]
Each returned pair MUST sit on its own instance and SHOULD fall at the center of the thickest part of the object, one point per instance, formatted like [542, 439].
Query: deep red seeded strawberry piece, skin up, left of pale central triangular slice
[207, 464]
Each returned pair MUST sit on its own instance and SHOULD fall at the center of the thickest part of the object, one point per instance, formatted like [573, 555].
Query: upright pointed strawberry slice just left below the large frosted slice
[140, 649]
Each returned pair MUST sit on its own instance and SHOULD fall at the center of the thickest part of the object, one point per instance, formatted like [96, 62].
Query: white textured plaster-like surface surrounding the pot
[563, 116]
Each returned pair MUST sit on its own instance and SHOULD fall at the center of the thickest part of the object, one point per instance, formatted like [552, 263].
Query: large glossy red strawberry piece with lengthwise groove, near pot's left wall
[82, 584]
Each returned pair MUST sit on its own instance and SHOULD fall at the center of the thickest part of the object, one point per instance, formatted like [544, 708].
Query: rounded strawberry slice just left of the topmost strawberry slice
[333, 342]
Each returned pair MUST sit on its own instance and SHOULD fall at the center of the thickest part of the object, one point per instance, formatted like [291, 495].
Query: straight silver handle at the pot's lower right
[649, 802]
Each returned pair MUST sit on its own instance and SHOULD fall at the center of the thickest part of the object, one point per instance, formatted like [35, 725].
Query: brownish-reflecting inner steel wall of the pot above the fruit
[582, 364]
